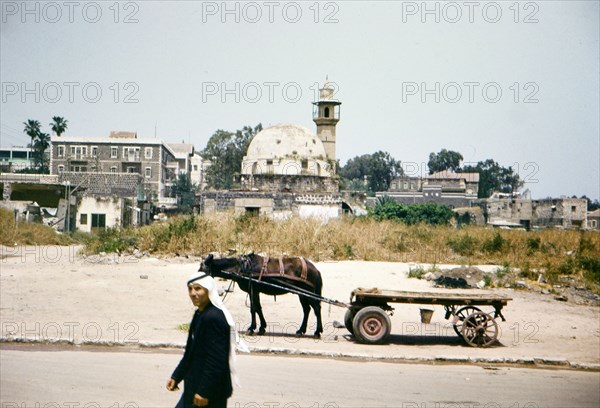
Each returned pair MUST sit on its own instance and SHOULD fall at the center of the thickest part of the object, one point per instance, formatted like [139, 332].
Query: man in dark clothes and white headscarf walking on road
[208, 363]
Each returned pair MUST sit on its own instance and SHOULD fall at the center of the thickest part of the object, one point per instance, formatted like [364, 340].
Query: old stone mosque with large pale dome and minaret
[288, 170]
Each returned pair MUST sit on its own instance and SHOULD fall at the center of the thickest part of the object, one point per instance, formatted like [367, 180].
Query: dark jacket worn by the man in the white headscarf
[204, 367]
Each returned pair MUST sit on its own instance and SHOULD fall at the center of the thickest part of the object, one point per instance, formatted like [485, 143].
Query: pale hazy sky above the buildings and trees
[517, 82]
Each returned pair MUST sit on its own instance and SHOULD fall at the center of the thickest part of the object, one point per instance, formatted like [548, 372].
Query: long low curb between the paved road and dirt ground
[534, 362]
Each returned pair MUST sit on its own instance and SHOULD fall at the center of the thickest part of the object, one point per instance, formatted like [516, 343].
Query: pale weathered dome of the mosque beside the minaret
[285, 140]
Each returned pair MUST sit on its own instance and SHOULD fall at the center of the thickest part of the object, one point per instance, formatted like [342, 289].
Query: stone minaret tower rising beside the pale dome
[326, 115]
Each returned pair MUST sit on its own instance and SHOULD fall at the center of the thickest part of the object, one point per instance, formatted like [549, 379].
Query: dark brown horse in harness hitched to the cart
[292, 273]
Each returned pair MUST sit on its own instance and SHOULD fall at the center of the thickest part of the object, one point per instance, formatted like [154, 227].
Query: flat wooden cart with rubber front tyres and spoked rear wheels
[367, 315]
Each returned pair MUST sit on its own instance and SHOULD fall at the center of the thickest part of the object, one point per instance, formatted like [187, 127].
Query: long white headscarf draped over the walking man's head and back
[207, 282]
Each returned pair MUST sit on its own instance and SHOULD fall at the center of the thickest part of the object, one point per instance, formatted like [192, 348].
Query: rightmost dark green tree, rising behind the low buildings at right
[493, 177]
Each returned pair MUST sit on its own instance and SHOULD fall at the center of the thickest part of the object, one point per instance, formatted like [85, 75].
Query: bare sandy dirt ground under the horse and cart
[50, 293]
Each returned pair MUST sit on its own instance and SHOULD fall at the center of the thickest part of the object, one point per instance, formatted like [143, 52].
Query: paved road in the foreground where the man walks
[44, 377]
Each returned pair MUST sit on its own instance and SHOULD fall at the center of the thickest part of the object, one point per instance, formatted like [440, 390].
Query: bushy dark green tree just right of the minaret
[380, 168]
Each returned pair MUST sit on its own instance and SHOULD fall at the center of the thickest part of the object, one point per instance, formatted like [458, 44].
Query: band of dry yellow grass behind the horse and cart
[556, 253]
